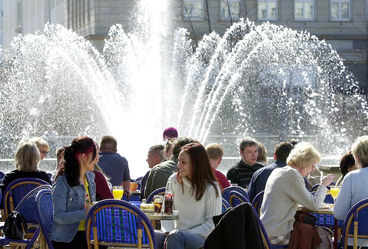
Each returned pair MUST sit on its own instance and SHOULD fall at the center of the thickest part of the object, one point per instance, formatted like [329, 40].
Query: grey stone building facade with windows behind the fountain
[342, 23]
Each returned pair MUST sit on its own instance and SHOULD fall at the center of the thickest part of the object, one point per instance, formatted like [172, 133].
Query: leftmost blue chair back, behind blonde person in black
[16, 190]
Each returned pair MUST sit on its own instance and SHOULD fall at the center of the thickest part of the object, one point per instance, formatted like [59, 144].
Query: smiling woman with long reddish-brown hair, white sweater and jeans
[197, 196]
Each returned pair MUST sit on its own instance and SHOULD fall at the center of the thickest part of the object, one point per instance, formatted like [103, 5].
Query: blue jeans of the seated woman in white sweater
[179, 240]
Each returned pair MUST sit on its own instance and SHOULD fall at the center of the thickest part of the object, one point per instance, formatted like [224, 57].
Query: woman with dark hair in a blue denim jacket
[73, 193]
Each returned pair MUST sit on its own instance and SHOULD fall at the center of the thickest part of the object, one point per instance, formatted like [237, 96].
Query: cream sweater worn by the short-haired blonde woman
[285, 189]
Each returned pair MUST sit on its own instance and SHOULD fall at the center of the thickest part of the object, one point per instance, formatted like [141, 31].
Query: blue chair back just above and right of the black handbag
[28, 205]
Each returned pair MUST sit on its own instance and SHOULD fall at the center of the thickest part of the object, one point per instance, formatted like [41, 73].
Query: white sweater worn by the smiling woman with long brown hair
[194, 216]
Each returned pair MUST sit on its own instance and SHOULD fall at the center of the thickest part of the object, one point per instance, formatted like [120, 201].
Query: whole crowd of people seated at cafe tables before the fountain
[87, 171]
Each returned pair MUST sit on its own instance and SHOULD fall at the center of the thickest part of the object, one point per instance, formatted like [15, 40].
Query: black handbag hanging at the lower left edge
[15, 226]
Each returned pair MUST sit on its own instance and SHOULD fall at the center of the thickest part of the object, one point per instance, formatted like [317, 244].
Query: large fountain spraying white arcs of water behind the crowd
[264, 80]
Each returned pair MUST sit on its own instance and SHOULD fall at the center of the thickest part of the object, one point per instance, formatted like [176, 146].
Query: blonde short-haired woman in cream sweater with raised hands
[285, 189]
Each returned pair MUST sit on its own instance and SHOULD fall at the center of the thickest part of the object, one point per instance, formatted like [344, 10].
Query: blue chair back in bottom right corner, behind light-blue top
[356, 223]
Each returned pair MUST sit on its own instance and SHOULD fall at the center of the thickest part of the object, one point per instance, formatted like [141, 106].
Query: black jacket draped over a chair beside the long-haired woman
[237, 228]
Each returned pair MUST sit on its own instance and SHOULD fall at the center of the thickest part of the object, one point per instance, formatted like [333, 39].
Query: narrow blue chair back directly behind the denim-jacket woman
[44, 213]
